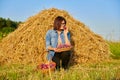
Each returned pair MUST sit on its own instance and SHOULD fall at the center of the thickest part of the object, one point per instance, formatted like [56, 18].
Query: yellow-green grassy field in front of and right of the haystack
[95, 71]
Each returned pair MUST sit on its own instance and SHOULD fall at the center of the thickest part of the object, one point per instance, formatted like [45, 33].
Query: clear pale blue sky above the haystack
[101, 16]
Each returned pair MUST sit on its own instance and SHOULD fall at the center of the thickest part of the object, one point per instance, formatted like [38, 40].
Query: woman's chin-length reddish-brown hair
[57, 22]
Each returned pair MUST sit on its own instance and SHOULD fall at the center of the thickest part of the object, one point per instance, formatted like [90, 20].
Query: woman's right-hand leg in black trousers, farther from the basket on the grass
[65, 56]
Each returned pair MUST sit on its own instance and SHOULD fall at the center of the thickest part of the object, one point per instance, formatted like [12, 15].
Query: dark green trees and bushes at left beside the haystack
[7, 26]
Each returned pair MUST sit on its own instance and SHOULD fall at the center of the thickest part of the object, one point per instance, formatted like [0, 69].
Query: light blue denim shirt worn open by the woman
[52, 40]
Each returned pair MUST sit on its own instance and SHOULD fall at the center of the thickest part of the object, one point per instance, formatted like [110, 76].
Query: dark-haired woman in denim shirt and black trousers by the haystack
[54, 38]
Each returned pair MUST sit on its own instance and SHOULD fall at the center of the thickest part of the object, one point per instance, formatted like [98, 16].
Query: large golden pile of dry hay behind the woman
[26, 44]
